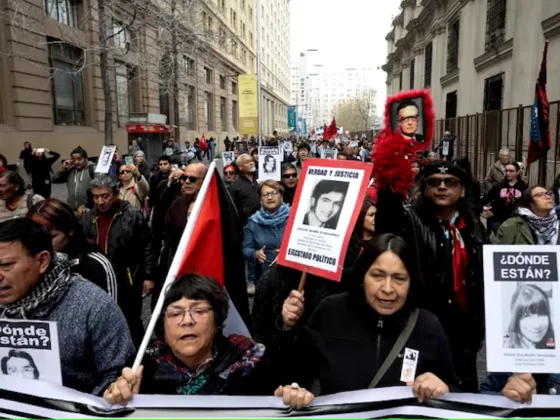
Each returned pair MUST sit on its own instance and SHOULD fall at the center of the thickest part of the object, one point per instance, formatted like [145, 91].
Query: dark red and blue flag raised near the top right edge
[539, 136]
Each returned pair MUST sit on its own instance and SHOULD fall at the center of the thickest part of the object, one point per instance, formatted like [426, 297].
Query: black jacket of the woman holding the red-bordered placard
[346, 342]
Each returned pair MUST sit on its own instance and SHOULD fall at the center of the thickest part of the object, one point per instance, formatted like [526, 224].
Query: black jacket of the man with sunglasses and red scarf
[420, 228]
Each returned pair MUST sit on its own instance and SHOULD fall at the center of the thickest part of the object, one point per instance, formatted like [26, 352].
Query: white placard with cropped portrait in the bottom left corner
[29, 350]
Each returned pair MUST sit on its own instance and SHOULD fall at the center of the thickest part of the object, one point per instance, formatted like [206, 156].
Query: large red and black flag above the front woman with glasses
[214, 248]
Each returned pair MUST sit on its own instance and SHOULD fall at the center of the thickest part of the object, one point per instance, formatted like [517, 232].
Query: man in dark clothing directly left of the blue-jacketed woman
[244, 191]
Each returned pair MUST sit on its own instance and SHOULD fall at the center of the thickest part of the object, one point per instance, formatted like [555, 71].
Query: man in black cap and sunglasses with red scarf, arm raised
[448, 241]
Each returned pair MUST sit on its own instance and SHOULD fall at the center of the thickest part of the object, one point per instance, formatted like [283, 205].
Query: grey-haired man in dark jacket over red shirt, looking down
[124, 237]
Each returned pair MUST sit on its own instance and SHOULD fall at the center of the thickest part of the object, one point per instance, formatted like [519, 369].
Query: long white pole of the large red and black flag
[176, 264]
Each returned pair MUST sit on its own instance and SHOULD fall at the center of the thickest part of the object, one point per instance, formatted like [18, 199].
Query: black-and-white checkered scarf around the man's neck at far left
[50, 290]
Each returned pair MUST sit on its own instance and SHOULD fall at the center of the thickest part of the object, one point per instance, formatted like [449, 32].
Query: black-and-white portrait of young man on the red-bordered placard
[327, 200]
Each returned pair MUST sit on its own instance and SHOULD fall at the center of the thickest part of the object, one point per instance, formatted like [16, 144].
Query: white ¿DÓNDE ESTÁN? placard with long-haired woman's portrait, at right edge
[522, 297]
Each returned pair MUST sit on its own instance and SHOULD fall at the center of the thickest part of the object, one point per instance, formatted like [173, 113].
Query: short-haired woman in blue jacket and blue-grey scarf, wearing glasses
[265, 228]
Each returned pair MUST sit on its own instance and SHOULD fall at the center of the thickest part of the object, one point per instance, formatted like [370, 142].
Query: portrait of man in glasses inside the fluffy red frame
[407, 116]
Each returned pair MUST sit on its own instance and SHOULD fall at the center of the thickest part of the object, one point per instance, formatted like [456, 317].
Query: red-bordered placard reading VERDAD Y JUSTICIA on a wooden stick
[328, 200]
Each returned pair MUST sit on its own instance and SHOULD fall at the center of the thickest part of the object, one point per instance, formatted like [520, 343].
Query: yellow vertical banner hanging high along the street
[248, 105]
